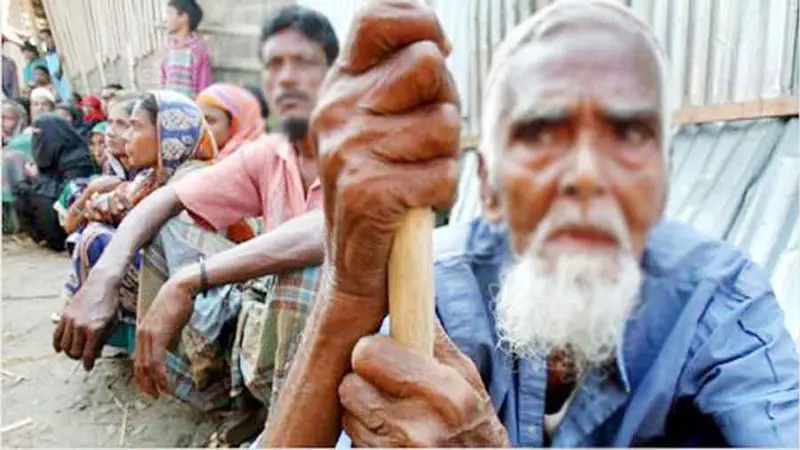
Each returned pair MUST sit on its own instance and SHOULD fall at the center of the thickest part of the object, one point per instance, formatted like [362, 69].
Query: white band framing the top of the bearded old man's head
[529, 31]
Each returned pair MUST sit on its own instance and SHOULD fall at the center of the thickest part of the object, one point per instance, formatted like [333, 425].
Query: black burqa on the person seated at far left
[61, 155]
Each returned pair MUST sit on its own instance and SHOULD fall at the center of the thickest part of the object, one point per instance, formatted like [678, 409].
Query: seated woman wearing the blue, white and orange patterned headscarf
[167, 138]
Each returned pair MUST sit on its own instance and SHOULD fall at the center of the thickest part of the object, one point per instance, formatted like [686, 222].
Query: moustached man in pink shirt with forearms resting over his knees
[274, 178]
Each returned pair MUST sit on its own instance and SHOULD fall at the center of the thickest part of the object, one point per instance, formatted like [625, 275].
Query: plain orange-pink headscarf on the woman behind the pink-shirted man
[244, 109]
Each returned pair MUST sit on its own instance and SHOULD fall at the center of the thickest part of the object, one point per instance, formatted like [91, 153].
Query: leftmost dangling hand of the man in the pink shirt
[87, 319]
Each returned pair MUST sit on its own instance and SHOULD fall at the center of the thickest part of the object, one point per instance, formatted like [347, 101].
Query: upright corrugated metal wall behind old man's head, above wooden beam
[720, 51]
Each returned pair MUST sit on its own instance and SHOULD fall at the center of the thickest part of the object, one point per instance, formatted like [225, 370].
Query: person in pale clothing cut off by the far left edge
[16, 153]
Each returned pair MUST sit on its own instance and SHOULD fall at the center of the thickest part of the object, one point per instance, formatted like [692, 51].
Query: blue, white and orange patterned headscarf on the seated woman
[183, 135]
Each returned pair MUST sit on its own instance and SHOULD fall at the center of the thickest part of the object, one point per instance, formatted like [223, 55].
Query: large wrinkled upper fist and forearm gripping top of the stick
[387, 131]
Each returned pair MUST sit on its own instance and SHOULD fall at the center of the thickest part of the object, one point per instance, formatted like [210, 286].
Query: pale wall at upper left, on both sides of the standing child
[122, 40]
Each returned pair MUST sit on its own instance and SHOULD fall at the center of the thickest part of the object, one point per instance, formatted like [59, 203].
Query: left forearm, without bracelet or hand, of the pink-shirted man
[138, 228]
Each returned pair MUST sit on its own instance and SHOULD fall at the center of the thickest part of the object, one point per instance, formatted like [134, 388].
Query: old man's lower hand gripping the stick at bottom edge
[398, 397]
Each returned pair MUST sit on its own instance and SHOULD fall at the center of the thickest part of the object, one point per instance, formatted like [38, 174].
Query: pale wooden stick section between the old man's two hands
[411, 297]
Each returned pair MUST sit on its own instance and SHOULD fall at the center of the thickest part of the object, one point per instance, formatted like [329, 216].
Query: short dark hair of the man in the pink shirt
[312, 24]
